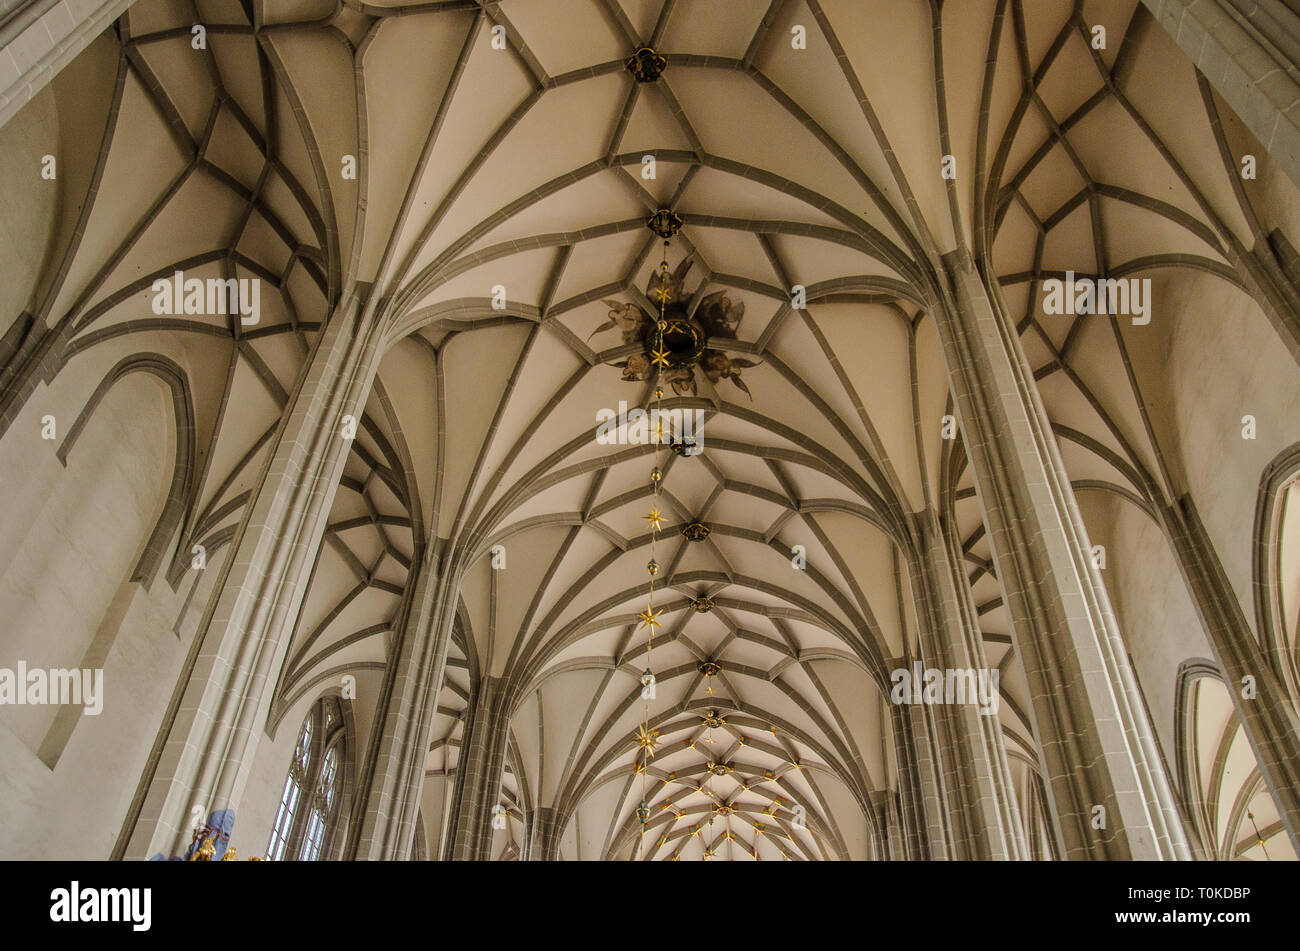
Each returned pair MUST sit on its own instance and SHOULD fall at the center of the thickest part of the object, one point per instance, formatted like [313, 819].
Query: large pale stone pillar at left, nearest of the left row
[210, 733]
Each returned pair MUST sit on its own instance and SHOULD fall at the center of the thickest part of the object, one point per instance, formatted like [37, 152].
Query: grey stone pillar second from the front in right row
[986, 823]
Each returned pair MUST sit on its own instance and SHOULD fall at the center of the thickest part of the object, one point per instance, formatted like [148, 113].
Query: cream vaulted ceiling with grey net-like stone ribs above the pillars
[523, 170]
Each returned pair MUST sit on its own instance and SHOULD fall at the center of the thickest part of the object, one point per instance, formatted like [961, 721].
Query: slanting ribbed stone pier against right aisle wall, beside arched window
[1268, 718]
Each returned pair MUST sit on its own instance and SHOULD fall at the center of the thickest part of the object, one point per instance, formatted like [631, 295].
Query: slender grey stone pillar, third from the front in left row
[479, 772]
